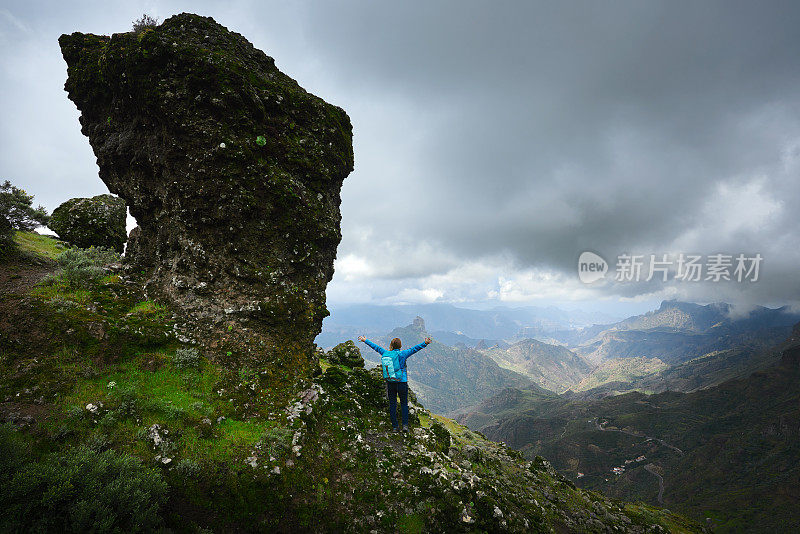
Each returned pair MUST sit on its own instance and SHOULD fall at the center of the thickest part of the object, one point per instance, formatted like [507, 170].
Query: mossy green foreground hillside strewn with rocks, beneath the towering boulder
[112, 422]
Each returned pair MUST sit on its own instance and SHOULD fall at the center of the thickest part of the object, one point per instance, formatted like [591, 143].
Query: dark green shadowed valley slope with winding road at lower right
[727, 452]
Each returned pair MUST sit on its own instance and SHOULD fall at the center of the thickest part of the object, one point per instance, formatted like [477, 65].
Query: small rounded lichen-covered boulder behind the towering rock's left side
[91, 222]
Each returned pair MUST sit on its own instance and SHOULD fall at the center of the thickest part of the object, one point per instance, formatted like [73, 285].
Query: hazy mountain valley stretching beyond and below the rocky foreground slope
[688, 407]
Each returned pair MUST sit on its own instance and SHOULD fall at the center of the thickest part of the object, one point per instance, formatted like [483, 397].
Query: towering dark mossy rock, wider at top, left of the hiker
[232, 171]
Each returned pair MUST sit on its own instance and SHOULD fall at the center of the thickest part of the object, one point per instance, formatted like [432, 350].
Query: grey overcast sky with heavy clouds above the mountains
[496, 141]
